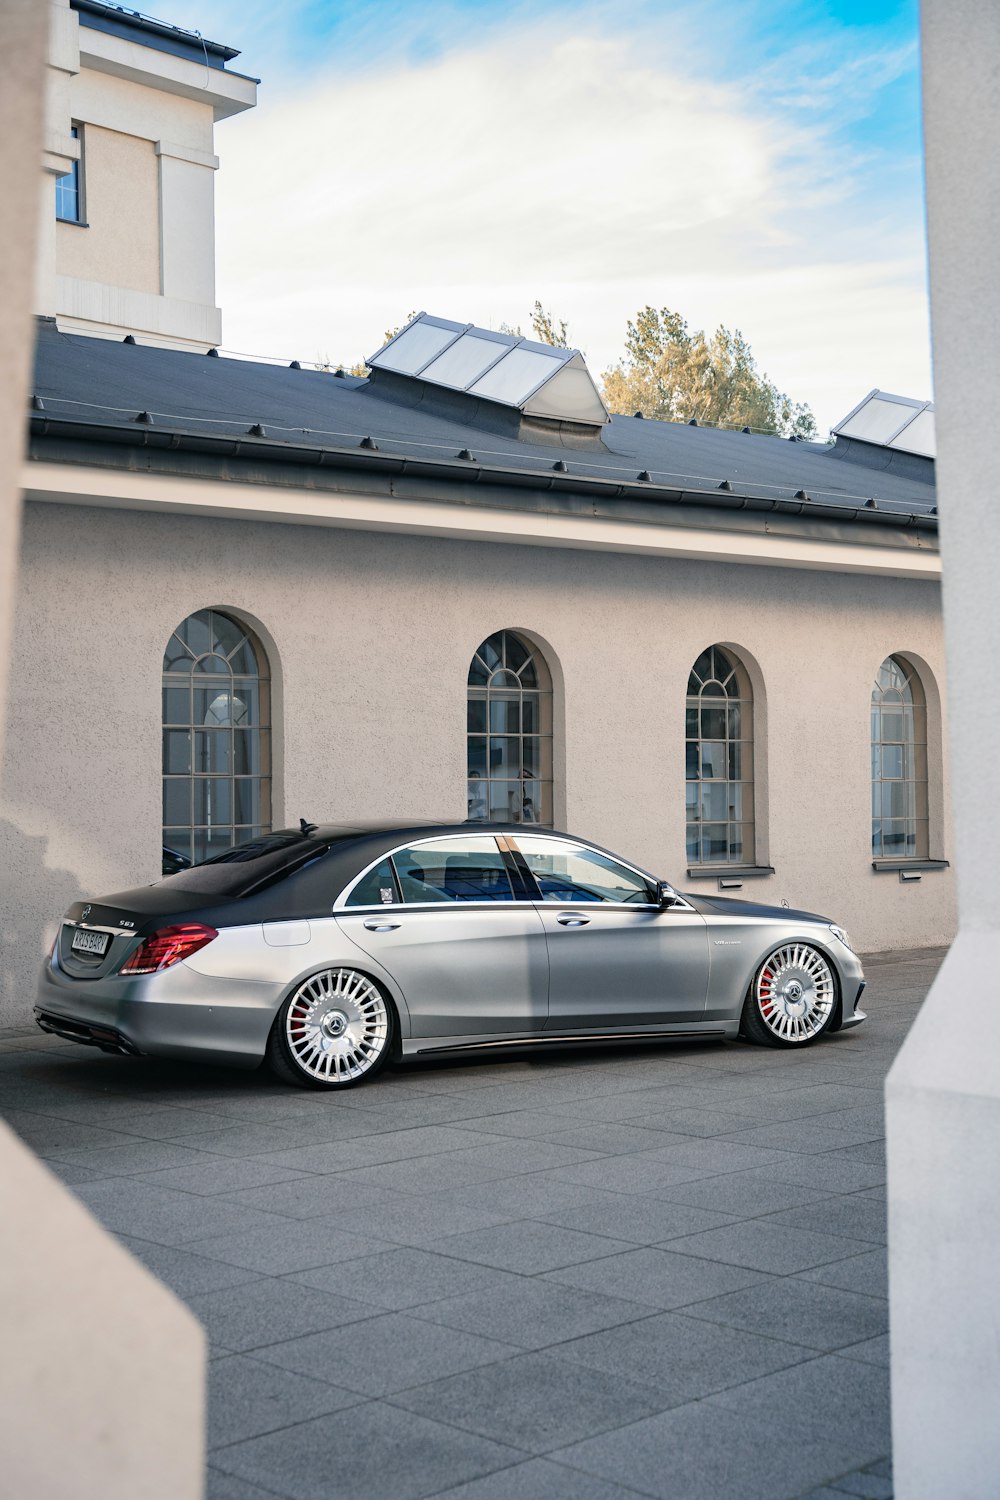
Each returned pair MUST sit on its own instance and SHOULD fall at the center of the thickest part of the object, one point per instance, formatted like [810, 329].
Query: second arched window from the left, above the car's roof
[510, 733]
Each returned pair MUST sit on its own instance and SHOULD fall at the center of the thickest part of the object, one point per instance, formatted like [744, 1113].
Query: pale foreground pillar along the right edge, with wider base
[944, 1091]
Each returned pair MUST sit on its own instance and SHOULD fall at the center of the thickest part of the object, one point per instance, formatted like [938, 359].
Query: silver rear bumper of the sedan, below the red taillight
[178, 1013]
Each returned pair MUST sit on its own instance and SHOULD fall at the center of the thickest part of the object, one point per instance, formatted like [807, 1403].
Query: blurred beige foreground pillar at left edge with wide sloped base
[101, 1367]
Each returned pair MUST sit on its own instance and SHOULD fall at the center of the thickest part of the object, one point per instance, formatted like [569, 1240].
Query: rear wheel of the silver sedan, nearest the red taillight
[335, 1031]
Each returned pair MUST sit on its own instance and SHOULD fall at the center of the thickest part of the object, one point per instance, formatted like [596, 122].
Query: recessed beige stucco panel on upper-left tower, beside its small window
[121, 244]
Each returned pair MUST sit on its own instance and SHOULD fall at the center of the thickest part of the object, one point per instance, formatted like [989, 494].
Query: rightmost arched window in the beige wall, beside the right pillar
[899, 764]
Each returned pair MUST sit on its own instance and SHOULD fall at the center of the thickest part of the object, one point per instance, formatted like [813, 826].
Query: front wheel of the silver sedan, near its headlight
[792, 1000]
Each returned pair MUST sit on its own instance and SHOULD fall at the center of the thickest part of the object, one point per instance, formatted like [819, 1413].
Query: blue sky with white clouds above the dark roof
[749, 164]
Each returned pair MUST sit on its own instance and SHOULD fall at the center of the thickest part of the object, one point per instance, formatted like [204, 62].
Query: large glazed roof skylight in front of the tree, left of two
[536, 379]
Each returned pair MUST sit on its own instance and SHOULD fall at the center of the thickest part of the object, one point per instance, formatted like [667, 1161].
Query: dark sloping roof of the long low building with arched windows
[92, 391]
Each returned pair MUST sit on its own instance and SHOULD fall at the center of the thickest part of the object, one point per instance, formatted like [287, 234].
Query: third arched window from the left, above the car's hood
[720, 773]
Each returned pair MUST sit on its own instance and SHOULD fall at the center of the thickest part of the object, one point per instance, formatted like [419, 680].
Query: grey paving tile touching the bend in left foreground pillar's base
[272, 1312]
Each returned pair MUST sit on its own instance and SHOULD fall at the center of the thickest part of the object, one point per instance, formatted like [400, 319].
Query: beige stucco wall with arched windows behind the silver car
[371, 640]
